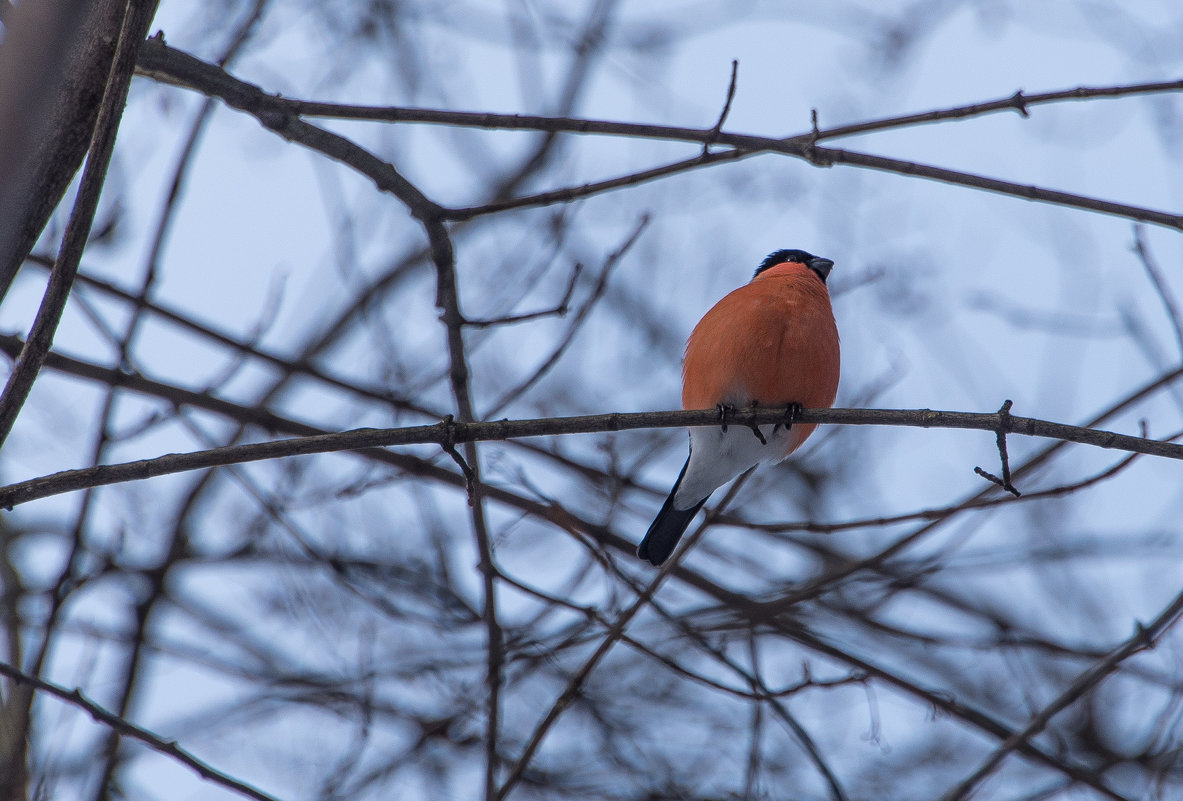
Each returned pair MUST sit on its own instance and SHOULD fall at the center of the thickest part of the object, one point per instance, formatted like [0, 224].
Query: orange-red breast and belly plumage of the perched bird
[773, 341]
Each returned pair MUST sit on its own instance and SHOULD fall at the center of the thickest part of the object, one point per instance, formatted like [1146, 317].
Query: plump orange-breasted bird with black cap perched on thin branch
[772, 343]
